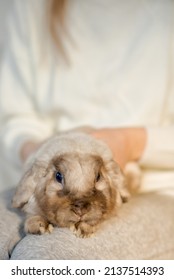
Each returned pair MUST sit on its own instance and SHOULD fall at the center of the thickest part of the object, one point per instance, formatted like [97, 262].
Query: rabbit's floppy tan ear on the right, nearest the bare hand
[118, 181]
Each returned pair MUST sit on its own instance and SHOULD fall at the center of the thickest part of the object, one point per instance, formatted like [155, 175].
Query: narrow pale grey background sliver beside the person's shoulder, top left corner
[4, 9]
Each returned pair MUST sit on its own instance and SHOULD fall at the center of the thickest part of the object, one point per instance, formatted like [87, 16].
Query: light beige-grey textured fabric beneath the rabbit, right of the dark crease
[143, 229]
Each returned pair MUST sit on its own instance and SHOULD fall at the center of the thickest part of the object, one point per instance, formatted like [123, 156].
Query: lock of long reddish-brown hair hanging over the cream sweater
[56, 22]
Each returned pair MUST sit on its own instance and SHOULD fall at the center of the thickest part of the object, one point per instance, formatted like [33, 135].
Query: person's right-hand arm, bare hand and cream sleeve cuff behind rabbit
[152, 147]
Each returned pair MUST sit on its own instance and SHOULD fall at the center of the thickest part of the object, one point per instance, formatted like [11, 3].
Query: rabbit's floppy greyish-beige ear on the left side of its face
[27, 185]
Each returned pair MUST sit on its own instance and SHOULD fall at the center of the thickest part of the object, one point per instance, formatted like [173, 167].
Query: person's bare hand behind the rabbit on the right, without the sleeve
[126, 144]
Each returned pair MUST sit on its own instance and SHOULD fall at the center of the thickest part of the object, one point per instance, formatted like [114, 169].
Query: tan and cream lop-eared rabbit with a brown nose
[72, 181]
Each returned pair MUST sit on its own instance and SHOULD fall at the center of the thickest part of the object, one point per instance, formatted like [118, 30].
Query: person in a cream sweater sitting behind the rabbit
[107, 65]
